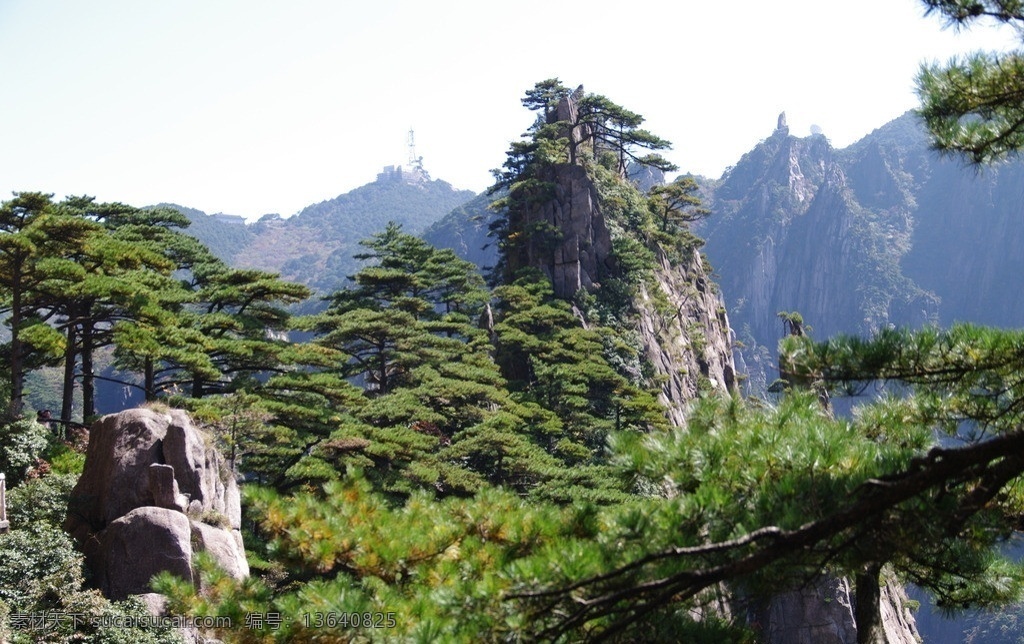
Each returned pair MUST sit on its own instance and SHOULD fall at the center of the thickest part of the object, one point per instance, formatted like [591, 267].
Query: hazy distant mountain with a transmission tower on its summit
[316, 246]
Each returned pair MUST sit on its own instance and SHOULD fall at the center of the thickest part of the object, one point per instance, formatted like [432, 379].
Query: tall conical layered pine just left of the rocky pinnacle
[436, 412]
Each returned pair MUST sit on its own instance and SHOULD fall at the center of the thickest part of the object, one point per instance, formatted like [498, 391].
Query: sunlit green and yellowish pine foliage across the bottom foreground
[463, 568]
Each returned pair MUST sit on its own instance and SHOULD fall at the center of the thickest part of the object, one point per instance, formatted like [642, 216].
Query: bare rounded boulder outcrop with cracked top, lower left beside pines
[154, 492]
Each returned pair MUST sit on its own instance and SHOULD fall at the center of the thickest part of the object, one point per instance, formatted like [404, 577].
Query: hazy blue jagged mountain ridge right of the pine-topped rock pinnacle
[883, 233]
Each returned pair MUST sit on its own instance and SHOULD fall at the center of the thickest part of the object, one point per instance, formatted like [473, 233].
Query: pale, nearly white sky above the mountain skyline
[257, 107]
